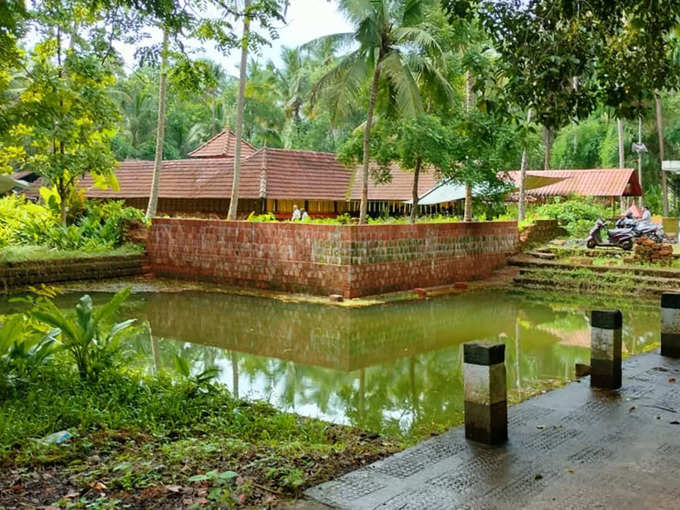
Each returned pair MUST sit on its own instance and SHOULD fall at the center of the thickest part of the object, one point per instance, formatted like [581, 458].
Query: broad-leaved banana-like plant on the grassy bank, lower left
[88, 337]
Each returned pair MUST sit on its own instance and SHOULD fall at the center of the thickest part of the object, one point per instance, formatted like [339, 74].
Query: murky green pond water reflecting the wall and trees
[391, 368]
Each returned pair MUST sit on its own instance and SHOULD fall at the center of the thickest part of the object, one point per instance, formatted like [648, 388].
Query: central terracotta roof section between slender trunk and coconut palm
[293, 174]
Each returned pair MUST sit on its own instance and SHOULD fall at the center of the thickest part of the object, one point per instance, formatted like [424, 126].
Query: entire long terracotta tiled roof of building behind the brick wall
[271, 173]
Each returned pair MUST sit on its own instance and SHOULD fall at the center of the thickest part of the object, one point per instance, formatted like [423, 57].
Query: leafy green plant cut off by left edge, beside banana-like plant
[23, 351]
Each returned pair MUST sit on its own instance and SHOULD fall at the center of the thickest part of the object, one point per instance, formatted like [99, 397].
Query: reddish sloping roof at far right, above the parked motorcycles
[599, 182]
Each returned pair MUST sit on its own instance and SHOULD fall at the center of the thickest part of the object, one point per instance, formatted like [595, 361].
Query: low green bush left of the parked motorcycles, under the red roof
[576, 215]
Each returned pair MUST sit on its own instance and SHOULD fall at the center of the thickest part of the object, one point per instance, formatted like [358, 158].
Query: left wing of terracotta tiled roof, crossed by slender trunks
[181, 178]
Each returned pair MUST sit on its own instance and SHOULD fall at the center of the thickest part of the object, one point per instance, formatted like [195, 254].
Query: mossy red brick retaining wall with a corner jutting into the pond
[322, 259]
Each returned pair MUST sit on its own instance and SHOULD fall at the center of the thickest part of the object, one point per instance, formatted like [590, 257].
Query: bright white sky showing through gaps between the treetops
[305, 20]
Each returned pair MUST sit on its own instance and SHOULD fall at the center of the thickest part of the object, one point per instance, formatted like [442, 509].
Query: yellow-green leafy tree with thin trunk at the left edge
[64, 119]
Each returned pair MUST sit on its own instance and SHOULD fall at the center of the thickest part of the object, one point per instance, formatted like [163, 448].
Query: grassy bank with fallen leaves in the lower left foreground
[156, 442]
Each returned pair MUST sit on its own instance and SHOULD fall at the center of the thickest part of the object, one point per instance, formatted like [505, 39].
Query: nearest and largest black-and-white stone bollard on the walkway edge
[485, 389]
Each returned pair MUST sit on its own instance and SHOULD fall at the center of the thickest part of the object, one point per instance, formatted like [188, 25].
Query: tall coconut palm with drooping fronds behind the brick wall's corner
[385, 31]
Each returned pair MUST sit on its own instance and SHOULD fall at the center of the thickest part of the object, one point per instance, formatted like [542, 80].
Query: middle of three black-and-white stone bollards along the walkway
[605, 349]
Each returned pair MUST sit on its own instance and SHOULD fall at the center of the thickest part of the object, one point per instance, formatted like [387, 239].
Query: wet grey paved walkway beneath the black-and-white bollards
[572, 448]
